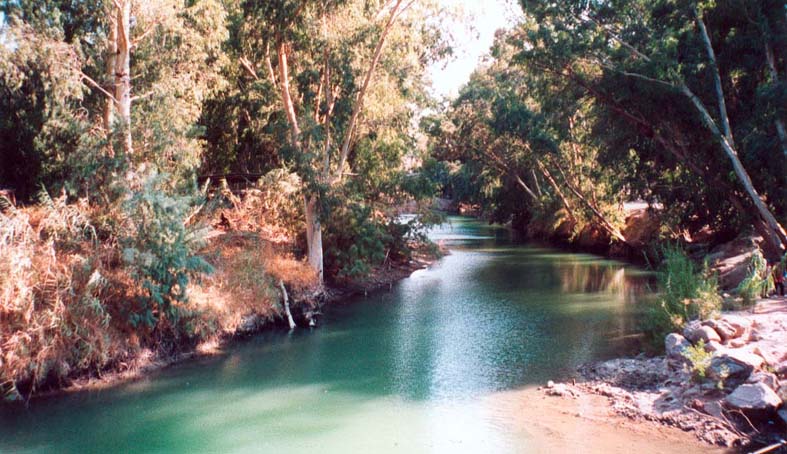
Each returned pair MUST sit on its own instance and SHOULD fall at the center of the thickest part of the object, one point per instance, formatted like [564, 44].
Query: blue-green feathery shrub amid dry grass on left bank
[160, 253]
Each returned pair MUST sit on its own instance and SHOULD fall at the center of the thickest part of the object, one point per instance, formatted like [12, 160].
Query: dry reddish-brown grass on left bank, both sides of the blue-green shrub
[65, 296]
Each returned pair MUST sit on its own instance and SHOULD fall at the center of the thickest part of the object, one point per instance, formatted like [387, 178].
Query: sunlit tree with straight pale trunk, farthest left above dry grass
[138, 73]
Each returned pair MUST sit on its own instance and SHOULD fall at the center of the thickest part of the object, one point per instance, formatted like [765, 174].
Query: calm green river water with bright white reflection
[401, 371]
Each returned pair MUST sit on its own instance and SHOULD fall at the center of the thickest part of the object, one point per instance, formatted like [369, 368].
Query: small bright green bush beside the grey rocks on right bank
[687, 293]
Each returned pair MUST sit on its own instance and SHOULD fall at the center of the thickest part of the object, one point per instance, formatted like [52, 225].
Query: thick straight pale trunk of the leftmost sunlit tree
[123, 72]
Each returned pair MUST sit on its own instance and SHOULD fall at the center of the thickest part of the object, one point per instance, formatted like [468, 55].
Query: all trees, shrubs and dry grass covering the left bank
[130, 114]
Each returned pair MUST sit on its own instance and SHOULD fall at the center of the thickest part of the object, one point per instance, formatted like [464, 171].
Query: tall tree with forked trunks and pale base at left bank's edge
[341, 70]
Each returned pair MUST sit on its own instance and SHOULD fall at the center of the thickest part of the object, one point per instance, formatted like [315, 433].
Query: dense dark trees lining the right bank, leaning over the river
[588, 105]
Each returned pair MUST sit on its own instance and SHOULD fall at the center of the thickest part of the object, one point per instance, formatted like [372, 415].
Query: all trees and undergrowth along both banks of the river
[127, 128]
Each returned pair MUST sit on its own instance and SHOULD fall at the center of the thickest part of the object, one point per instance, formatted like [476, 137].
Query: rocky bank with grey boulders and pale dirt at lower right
[727, 392]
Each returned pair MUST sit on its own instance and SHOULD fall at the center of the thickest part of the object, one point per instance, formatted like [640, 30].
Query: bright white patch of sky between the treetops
[472, 40]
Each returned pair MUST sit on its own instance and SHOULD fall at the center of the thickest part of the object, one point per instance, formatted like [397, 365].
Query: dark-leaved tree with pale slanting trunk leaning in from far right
[669, 68]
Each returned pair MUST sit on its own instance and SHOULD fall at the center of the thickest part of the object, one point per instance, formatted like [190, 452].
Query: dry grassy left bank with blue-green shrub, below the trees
[84, 300]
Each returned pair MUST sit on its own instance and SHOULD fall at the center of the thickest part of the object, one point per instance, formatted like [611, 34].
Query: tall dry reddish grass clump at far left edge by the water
[54, 322]
